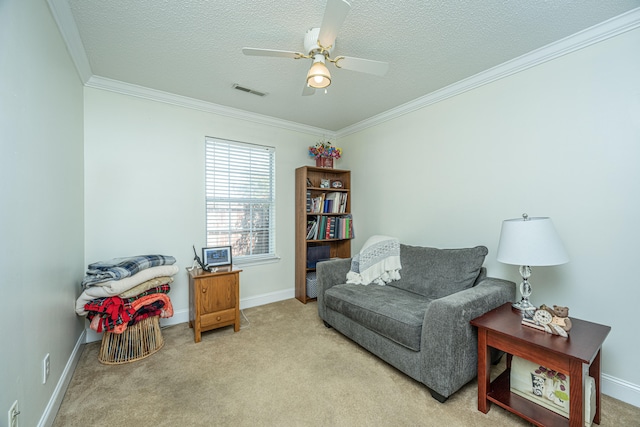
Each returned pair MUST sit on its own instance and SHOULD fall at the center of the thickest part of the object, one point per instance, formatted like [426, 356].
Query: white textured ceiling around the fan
[193, 48]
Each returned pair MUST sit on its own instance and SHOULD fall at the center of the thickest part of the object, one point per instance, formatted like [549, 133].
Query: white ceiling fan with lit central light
[319, 44]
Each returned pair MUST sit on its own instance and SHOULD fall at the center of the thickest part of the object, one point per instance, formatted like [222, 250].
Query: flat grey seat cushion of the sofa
[388, 311]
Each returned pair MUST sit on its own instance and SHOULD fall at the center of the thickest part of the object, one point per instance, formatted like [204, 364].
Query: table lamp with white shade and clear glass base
[529, 242]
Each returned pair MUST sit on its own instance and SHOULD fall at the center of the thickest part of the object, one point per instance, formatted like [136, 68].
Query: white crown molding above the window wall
[104, 83]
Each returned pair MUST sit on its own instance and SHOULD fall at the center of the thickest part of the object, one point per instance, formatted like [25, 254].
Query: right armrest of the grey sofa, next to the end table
[449, 342]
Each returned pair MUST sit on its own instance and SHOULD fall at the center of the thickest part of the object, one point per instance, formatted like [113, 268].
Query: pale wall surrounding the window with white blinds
[144, 187]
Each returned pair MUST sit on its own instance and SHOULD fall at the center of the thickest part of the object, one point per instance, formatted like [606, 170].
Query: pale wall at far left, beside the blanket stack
[41, 206]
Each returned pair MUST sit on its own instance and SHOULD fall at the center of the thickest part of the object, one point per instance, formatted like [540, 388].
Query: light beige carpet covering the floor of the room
[283, 368]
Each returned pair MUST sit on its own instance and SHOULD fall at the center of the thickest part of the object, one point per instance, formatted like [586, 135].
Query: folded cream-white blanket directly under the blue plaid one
[116, 287]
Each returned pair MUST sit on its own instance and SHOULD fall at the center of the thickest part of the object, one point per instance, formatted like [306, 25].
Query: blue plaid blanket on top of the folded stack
[119, 268]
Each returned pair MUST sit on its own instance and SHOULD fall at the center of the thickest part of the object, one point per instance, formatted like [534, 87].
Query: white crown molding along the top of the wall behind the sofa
[602, 31]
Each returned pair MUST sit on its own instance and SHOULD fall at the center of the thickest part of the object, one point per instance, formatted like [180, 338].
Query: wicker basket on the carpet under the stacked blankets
[136, 342]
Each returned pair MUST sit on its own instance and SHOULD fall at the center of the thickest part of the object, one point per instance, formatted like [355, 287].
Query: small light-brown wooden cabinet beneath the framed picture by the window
[214, 300]
